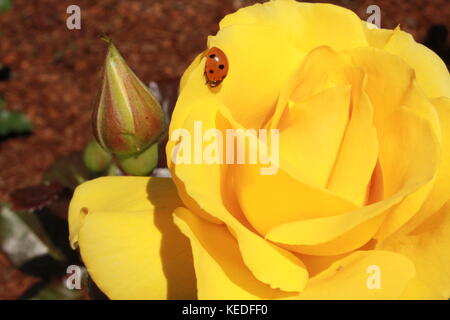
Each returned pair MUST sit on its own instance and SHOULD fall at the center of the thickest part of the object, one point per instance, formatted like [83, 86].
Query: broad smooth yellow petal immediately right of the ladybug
[260, 60]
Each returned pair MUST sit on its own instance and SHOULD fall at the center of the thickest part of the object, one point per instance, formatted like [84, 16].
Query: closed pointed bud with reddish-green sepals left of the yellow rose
[127, 118]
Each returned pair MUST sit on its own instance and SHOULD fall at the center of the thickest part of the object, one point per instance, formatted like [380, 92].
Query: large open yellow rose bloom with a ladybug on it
[358, 207]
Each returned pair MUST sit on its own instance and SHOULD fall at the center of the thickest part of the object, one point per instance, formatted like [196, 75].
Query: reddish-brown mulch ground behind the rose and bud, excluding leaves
[54, 72]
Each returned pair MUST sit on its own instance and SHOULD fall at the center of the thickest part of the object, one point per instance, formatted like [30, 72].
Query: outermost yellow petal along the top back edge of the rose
[304, 23]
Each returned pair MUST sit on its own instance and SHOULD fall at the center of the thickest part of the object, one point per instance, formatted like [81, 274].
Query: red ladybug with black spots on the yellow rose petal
[216, 67]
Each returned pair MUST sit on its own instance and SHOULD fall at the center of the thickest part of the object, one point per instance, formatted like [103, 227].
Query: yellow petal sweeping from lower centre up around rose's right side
[415, 141]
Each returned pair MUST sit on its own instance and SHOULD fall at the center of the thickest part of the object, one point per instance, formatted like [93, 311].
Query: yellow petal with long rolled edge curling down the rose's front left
[204, 185]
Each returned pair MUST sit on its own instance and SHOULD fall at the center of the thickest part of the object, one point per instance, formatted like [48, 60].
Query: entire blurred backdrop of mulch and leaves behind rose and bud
[49, 78]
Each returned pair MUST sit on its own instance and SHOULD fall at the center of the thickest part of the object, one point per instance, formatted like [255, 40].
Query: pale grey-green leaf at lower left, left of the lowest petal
[23, 238]
